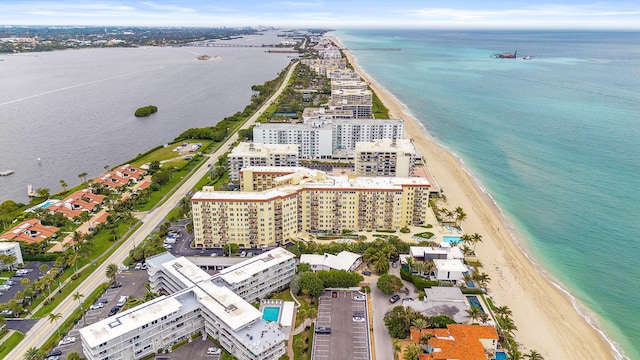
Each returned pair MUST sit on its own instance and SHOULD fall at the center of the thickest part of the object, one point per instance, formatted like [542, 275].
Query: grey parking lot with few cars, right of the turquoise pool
[348, 320]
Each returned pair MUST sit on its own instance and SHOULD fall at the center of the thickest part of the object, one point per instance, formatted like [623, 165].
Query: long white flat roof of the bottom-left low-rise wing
[129, 320]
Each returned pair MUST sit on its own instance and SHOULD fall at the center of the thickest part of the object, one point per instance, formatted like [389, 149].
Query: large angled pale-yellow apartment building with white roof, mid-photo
[316, 205]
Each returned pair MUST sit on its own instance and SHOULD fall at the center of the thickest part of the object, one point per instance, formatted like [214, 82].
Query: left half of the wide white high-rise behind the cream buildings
[314, 140]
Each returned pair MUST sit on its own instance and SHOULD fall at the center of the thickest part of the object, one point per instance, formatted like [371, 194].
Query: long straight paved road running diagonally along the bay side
[42, 330]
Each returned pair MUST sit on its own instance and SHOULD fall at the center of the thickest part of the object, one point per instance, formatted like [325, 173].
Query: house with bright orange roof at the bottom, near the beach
[458, 341]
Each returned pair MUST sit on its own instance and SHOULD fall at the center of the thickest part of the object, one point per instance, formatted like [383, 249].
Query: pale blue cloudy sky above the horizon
[334, 14]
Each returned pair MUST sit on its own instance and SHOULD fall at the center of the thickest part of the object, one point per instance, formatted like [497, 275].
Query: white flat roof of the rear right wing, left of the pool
[246, 269]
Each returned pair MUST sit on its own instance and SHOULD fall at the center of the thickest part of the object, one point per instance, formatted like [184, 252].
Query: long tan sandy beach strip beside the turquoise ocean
[544, 314]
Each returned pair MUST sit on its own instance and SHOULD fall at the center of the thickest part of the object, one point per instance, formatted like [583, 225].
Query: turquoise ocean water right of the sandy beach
[555, 140]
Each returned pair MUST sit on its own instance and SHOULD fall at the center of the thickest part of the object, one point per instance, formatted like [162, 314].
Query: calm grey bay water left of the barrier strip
[74, 109]
